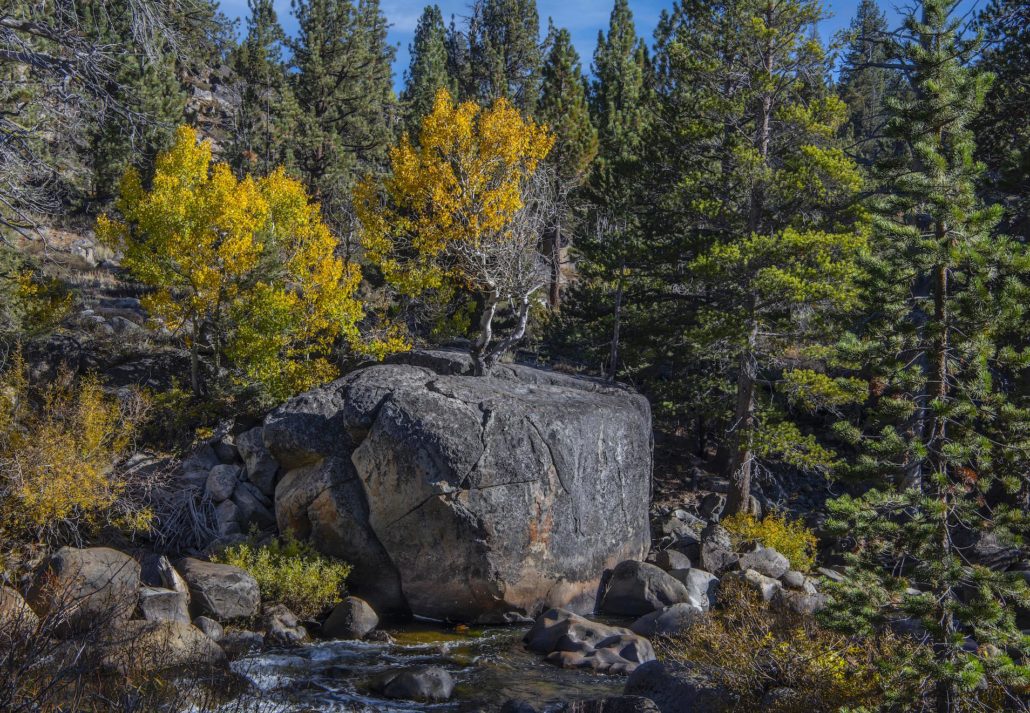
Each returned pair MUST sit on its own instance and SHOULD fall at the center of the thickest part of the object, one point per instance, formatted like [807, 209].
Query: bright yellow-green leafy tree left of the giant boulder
[247, 267]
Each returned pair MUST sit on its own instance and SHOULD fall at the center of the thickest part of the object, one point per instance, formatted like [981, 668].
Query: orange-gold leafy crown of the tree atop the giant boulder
[462, 184]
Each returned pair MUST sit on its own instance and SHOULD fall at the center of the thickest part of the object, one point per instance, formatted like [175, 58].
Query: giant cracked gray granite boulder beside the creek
[466, 498]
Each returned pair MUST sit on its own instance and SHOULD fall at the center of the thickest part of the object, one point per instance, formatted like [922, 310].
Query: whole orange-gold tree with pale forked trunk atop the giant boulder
[466, 206]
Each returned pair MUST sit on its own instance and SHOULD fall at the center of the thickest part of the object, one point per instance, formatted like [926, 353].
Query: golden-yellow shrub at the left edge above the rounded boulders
[59, 448]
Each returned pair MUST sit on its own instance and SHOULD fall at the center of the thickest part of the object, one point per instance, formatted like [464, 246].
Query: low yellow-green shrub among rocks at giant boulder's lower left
[293, 573]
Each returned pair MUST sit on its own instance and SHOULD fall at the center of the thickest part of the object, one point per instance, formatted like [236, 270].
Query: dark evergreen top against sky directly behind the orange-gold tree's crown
[504, 53]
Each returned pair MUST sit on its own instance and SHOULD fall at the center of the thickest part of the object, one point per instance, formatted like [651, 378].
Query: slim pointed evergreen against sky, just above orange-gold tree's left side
[428, 73]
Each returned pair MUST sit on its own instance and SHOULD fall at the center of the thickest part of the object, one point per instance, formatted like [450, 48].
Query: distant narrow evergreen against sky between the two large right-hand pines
[866, 83]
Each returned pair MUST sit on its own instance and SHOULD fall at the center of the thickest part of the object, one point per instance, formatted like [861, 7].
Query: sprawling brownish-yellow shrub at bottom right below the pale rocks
[753, 650]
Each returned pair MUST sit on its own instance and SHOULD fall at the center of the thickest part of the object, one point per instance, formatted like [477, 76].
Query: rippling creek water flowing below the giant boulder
[491, 667]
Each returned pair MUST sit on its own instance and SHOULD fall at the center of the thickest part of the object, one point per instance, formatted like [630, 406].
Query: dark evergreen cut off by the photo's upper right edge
[1004, 127]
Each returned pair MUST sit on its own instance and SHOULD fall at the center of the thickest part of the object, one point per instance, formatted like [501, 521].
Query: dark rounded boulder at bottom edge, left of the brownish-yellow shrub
[677, 689]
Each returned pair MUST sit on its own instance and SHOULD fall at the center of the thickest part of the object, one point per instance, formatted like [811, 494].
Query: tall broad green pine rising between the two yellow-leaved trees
[345, 91]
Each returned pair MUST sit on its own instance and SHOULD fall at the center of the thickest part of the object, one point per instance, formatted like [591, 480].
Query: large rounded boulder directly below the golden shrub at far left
[91, 588]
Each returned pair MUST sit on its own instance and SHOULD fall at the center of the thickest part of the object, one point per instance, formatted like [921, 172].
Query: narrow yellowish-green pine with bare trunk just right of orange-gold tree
[564, 109]
